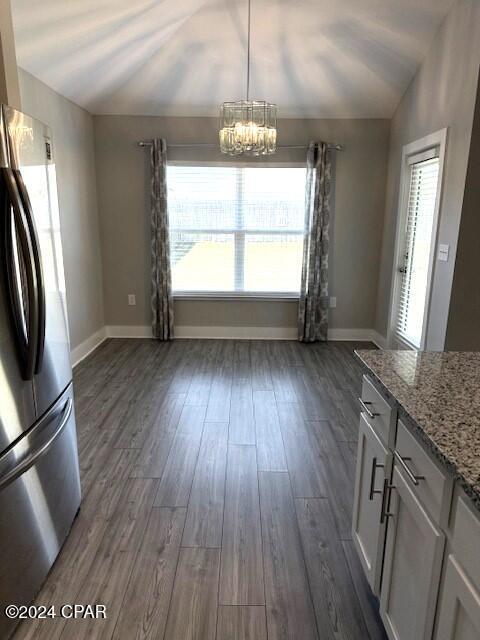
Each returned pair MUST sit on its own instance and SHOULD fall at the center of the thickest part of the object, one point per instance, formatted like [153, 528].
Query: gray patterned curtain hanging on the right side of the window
[313, 303]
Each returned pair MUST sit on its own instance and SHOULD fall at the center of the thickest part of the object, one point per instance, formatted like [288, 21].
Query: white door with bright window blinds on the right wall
[416, 240]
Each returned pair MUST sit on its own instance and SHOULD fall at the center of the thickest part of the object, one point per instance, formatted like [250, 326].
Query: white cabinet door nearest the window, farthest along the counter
[373, 462]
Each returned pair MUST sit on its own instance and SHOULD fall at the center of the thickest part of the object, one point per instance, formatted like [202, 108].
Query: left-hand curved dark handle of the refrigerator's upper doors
[26, 344]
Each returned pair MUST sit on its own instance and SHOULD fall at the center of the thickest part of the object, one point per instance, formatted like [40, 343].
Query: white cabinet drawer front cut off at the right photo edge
[466, 539]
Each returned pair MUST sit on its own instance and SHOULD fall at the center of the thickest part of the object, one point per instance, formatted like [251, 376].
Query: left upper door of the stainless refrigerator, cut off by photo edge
[17, 409]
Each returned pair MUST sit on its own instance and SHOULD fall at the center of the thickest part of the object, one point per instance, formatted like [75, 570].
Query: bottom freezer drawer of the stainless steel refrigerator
[39, 498]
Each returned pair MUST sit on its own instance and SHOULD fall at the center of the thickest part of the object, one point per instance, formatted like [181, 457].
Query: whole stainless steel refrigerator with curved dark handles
[39, 475]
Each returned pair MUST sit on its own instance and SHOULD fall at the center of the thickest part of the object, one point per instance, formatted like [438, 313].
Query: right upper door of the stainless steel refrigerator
[32, 162]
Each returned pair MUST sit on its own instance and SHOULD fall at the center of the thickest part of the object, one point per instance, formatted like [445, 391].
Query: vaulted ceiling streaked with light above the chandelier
[314, 58]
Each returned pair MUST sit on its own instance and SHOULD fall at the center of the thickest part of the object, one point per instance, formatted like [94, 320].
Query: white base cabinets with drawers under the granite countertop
[429, 589]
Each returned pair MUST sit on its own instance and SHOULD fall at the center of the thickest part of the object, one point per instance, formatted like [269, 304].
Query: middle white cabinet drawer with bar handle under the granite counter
[432, 485]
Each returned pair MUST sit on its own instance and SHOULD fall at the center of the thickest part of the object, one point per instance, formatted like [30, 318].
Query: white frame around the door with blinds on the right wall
[438, 139]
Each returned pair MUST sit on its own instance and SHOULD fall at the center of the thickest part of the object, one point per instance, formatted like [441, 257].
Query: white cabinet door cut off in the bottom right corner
[459, 610]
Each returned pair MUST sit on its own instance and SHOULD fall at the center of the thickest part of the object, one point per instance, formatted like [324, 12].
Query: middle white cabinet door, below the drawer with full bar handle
[412, 566]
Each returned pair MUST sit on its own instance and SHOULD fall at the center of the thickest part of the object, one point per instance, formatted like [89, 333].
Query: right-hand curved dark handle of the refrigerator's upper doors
[27, 207]
